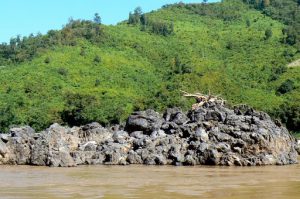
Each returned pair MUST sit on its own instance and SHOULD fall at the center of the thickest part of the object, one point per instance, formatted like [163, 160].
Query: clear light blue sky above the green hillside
[22, 17]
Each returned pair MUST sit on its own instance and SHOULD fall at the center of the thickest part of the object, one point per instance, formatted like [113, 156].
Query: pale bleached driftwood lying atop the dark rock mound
[202, 99]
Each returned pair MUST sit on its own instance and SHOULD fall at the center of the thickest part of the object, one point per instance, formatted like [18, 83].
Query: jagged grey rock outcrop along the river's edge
[209, 135]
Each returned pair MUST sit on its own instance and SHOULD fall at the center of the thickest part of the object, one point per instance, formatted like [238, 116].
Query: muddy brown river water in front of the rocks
[150, 182]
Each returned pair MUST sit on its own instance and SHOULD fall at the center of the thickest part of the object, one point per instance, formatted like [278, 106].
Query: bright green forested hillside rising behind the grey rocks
[92, 72]
